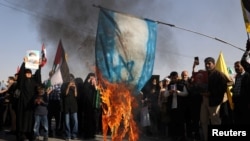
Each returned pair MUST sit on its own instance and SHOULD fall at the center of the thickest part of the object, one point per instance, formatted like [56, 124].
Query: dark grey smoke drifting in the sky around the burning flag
[75, 23]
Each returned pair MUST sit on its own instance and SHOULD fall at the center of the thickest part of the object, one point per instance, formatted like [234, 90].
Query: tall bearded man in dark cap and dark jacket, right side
[212, 99]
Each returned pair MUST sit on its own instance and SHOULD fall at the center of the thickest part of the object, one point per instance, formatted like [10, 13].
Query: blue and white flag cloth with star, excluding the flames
[125, 48]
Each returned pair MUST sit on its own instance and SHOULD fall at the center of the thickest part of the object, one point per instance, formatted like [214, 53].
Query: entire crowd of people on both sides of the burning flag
[178, 107]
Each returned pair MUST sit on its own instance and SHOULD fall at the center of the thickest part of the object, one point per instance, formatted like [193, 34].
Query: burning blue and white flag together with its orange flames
[125, 53]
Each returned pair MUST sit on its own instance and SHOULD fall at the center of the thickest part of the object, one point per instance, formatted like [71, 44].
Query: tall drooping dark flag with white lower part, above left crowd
[60, 68]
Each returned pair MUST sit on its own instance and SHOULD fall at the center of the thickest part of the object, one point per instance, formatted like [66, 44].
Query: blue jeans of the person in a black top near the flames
[71, 125]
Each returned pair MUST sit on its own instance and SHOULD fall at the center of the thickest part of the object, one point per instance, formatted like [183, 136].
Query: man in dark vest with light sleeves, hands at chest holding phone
[176, 93]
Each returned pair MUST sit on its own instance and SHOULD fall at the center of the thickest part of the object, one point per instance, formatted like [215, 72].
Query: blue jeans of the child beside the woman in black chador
[43, 120]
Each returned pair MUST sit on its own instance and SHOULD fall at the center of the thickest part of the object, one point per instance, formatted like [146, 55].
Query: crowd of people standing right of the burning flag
[183, 107]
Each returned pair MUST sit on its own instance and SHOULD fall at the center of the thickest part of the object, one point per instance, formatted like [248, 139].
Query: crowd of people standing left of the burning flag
[28, 106]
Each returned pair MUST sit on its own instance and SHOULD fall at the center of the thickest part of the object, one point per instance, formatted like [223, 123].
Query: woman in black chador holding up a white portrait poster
[27, 86]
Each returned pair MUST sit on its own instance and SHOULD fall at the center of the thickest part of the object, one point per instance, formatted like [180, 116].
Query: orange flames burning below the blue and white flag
[118, 103]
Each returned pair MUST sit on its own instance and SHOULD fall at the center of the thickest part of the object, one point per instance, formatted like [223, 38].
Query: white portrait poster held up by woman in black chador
[33, 57]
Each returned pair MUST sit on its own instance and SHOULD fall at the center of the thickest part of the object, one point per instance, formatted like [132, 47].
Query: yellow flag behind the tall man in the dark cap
[221, 66]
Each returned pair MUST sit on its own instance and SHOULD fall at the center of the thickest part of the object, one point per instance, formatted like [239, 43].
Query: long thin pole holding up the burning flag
[172, 25]
